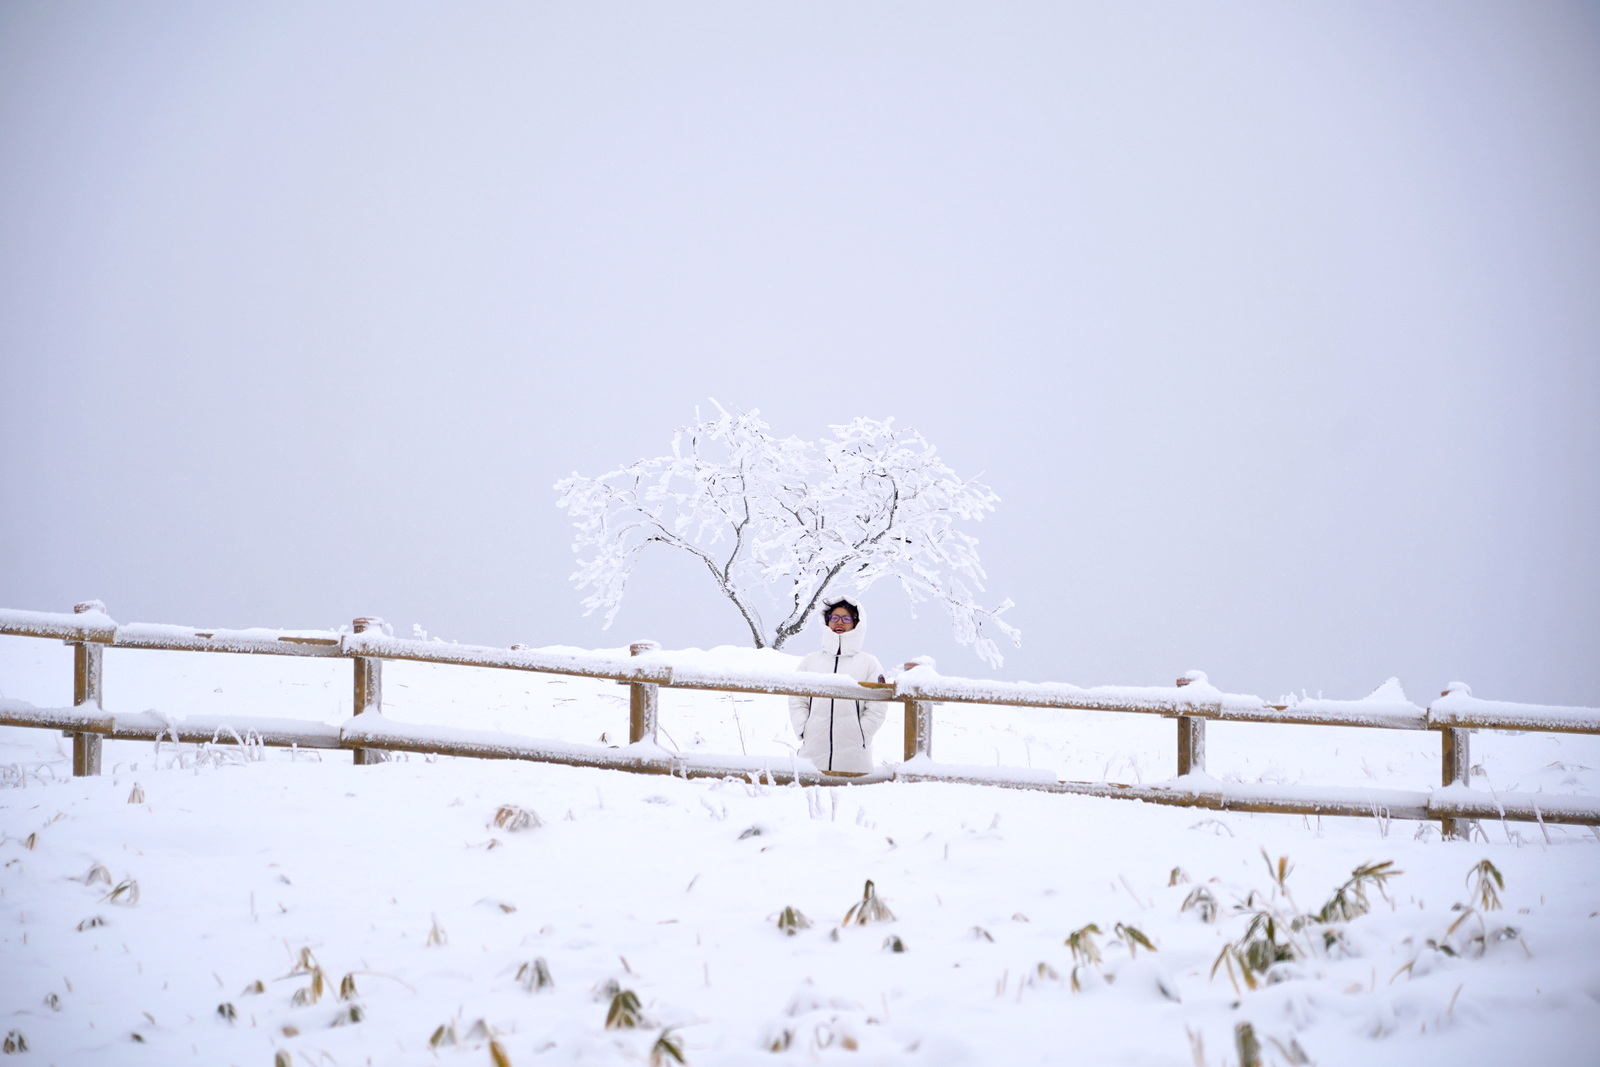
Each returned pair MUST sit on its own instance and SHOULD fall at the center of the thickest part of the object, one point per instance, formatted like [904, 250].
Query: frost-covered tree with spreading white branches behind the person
[783, 522]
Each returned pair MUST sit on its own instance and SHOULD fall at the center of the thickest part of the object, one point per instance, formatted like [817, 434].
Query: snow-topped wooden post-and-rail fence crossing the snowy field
[1191, 703]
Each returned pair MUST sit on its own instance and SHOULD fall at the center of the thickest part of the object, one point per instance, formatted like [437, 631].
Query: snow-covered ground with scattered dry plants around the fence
[209, 905]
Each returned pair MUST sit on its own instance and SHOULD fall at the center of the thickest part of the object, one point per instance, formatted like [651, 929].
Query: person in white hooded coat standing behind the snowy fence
[838, 735]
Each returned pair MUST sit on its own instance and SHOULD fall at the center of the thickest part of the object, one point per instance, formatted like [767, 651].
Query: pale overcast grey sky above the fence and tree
[1276, 327]
